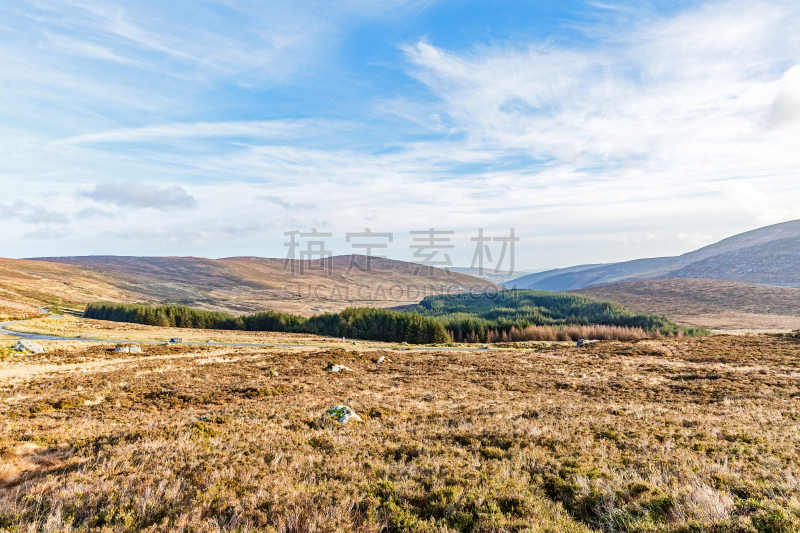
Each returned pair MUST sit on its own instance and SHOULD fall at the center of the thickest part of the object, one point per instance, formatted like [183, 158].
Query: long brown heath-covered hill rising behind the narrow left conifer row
[234, 284]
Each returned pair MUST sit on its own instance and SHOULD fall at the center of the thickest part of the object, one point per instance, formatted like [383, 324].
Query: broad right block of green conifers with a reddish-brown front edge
[489, 318]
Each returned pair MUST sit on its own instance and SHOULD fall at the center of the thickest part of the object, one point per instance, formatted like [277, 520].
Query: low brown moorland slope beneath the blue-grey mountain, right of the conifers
[725, 306]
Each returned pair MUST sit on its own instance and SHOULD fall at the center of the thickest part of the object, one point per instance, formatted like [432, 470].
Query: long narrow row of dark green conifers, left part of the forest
[360, 323]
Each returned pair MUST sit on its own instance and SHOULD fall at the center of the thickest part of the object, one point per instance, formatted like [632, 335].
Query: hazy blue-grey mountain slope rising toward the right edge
[769, 255]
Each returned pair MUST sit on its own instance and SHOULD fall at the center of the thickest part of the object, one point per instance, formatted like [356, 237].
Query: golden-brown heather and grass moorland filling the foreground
[676, 435]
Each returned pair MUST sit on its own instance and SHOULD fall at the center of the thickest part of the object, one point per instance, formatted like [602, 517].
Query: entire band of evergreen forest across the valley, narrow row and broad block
[529, 315]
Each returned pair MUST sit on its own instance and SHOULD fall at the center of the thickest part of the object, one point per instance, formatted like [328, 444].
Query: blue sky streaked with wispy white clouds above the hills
[598, 131]
